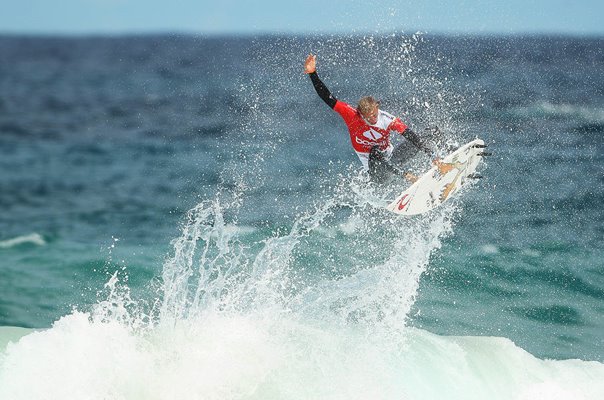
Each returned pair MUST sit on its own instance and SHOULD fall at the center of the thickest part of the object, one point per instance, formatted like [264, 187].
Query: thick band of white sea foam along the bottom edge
[252, 357]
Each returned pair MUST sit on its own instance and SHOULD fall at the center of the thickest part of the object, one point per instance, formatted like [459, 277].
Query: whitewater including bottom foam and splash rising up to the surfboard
[235, 320]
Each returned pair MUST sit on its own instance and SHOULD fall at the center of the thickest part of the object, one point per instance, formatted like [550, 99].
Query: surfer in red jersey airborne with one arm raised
[369, 128]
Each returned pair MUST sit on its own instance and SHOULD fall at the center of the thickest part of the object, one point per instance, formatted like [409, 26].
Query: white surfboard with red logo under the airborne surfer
[433, 188]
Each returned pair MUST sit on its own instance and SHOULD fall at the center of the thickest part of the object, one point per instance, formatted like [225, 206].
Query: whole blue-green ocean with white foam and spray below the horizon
[183, 218]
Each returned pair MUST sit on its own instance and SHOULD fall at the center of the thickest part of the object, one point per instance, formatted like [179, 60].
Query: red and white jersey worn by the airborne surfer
[364, 136]
